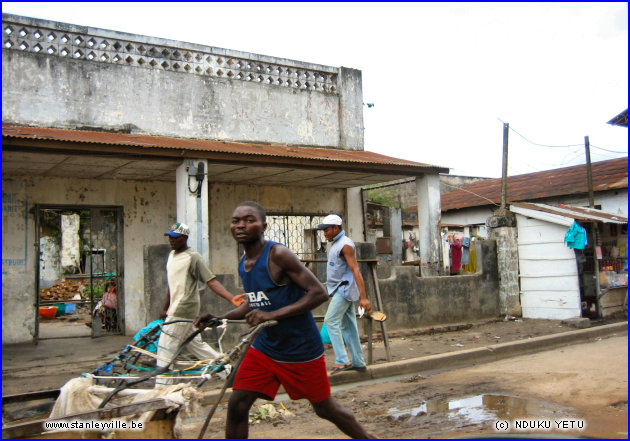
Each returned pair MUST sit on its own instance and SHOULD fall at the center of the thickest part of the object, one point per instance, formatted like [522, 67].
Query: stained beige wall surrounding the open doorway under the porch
[148, 210]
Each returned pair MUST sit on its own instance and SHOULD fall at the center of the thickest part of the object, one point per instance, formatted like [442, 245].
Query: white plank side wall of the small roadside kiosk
[548, 271]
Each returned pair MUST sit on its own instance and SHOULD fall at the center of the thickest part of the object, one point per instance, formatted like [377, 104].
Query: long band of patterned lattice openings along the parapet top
[103, 49]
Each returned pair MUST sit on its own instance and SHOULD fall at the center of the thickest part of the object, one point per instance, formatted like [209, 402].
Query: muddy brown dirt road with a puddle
[584, 386]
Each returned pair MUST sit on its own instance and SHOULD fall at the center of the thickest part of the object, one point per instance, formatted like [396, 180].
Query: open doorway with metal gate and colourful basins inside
[79, 284]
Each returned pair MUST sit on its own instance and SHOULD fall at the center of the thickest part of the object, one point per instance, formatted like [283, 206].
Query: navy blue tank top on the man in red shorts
[294, 339]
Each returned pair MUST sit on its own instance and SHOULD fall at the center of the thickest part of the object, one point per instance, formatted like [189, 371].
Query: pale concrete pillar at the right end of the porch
[429, 211]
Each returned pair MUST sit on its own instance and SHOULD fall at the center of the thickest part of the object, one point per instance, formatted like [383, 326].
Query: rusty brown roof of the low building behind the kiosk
[607, 175]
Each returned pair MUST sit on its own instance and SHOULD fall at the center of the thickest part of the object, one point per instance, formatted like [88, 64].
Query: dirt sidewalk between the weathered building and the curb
[52, 363]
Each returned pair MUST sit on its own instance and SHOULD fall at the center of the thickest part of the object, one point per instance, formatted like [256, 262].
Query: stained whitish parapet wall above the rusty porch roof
[85, 77]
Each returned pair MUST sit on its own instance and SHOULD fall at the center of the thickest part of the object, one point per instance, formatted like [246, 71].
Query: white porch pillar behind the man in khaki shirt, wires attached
[193, 210]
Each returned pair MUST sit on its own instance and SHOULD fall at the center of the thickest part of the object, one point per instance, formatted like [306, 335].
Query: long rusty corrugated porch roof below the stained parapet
[207, 148]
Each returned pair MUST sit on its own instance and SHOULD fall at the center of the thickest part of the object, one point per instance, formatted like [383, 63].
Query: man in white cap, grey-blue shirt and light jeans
[345, 287]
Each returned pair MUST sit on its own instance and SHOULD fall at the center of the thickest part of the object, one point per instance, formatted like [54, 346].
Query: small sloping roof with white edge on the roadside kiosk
[565, 214]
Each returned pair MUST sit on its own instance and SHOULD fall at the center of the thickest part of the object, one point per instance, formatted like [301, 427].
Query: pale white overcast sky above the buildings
[441, 79]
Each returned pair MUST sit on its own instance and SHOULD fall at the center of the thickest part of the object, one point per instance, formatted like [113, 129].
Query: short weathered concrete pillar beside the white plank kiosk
[502, 229]
